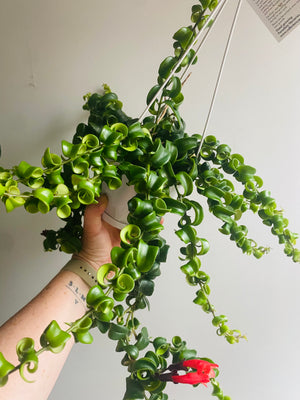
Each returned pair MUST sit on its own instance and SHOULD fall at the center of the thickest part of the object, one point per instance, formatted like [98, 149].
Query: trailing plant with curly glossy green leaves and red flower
[164, 165]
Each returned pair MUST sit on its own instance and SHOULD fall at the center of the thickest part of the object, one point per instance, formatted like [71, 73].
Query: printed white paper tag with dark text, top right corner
[279, 16]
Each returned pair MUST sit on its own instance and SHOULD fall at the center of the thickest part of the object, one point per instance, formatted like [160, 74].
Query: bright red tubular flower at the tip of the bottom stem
[203, 374]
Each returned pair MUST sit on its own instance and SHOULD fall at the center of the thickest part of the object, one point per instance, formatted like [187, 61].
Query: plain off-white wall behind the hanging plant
[52, 53]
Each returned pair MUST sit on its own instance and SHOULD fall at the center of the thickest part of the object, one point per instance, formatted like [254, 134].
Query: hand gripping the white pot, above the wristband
[98, 236]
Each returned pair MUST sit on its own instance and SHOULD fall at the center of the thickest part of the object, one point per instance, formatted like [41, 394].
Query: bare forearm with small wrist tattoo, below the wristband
[63, 300]
